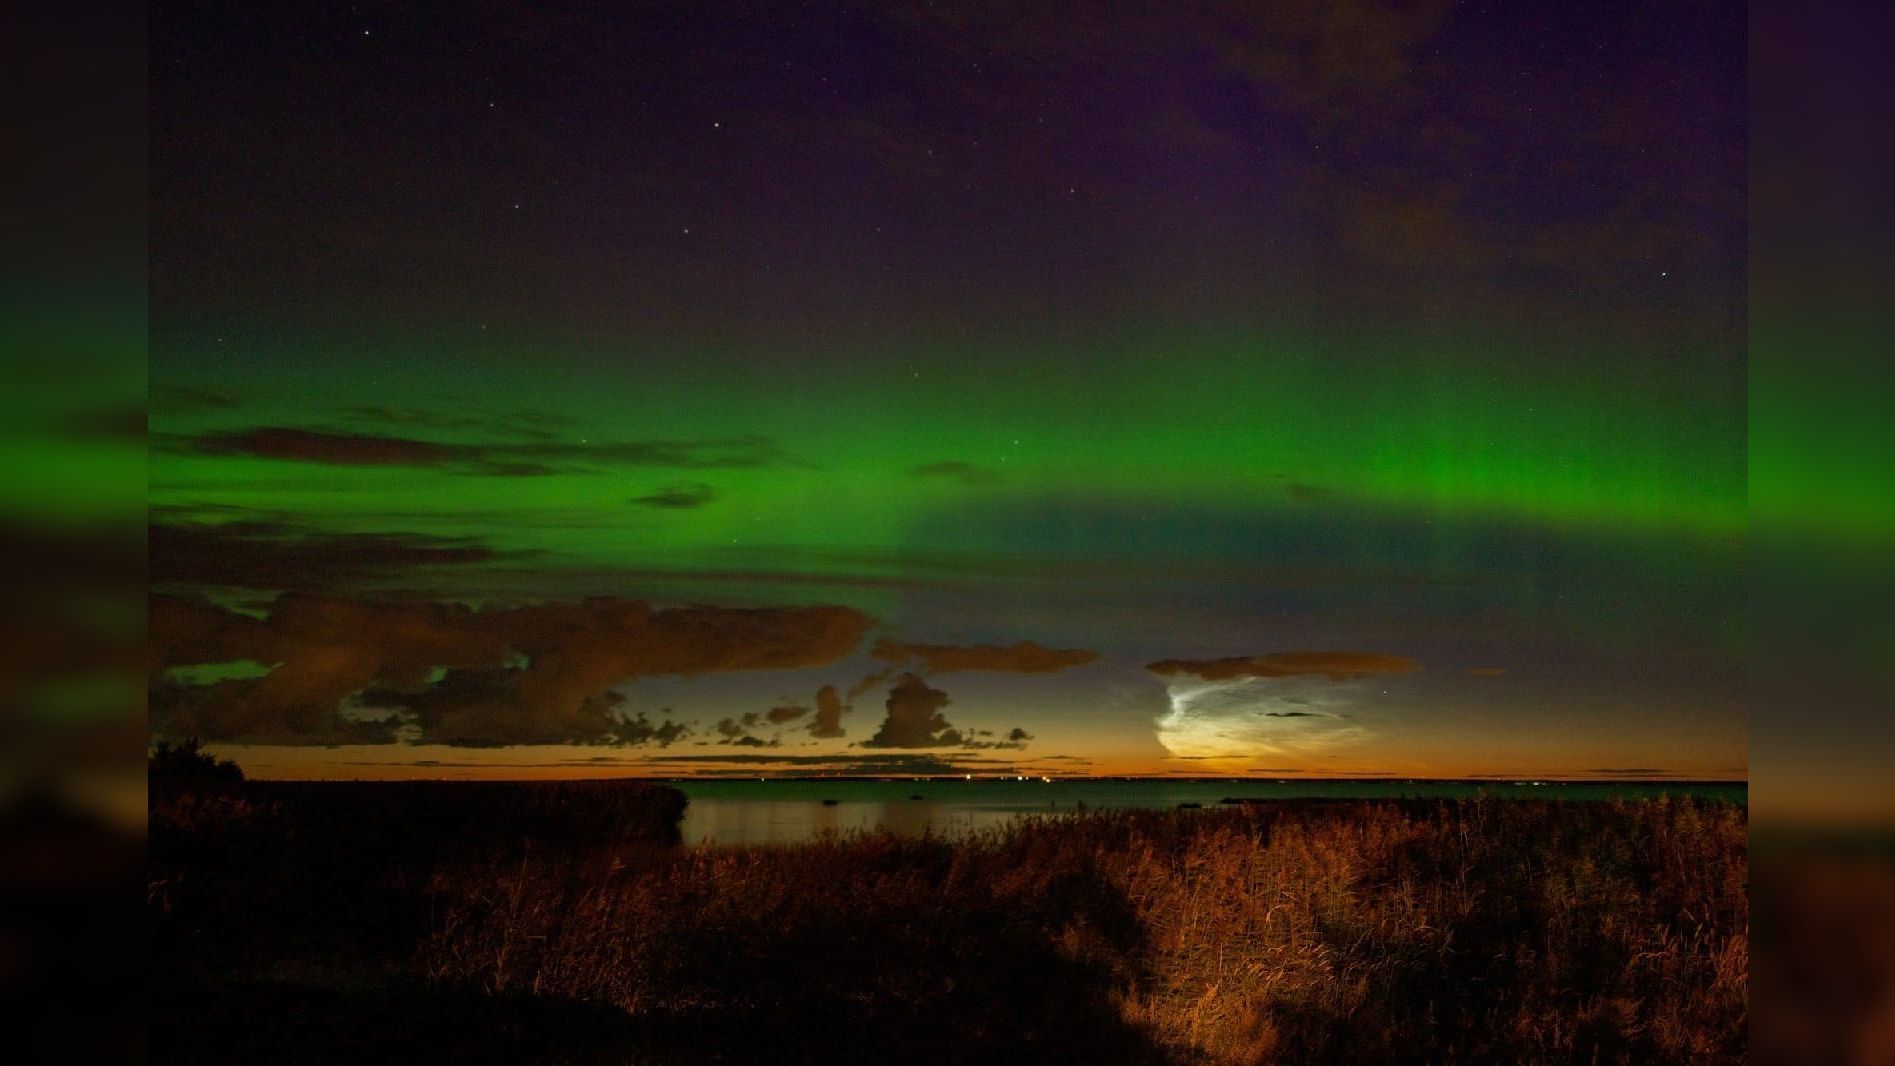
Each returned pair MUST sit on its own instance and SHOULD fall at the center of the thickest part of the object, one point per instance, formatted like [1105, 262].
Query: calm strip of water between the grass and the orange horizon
[795, 811]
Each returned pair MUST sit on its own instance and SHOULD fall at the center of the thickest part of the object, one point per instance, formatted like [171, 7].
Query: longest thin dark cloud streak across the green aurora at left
[507, 459]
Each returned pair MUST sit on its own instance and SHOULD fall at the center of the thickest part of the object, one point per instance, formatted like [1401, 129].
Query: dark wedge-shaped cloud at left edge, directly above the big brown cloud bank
[270, 556]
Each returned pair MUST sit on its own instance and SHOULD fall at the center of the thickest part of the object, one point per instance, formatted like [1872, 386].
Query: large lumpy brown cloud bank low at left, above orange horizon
[458, 675]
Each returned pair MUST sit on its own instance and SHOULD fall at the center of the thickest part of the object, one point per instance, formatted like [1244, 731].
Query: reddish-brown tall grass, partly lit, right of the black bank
[1473, 931]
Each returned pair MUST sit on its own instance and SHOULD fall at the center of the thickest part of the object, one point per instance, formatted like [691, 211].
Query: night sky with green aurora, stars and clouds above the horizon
[1333, 389]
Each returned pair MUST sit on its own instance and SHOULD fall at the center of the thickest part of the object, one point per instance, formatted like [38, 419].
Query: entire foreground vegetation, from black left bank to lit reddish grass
[560, 923]
